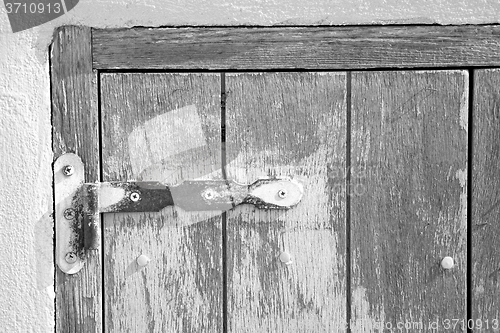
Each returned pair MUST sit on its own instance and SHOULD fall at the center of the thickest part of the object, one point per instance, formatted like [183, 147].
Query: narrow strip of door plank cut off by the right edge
[485, 199]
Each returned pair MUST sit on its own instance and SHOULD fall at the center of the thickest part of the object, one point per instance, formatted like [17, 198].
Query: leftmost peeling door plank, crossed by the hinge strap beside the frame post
[162, 127]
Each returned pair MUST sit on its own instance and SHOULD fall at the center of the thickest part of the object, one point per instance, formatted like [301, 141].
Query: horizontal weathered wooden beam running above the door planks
[310, 48]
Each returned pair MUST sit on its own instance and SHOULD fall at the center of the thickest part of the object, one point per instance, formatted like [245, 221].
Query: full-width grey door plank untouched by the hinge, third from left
[408, 197]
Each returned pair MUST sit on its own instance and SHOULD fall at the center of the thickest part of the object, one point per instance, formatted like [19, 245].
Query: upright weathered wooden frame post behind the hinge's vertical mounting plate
[74, 125]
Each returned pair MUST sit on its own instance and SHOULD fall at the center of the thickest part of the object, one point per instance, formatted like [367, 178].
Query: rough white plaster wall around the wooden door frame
[26, 263]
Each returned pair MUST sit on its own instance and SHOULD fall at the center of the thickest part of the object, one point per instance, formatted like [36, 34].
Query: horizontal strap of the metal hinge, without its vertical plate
[193, 195]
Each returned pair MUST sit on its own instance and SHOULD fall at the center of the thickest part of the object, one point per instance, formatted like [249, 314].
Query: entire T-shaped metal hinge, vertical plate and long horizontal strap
[79, 204]
